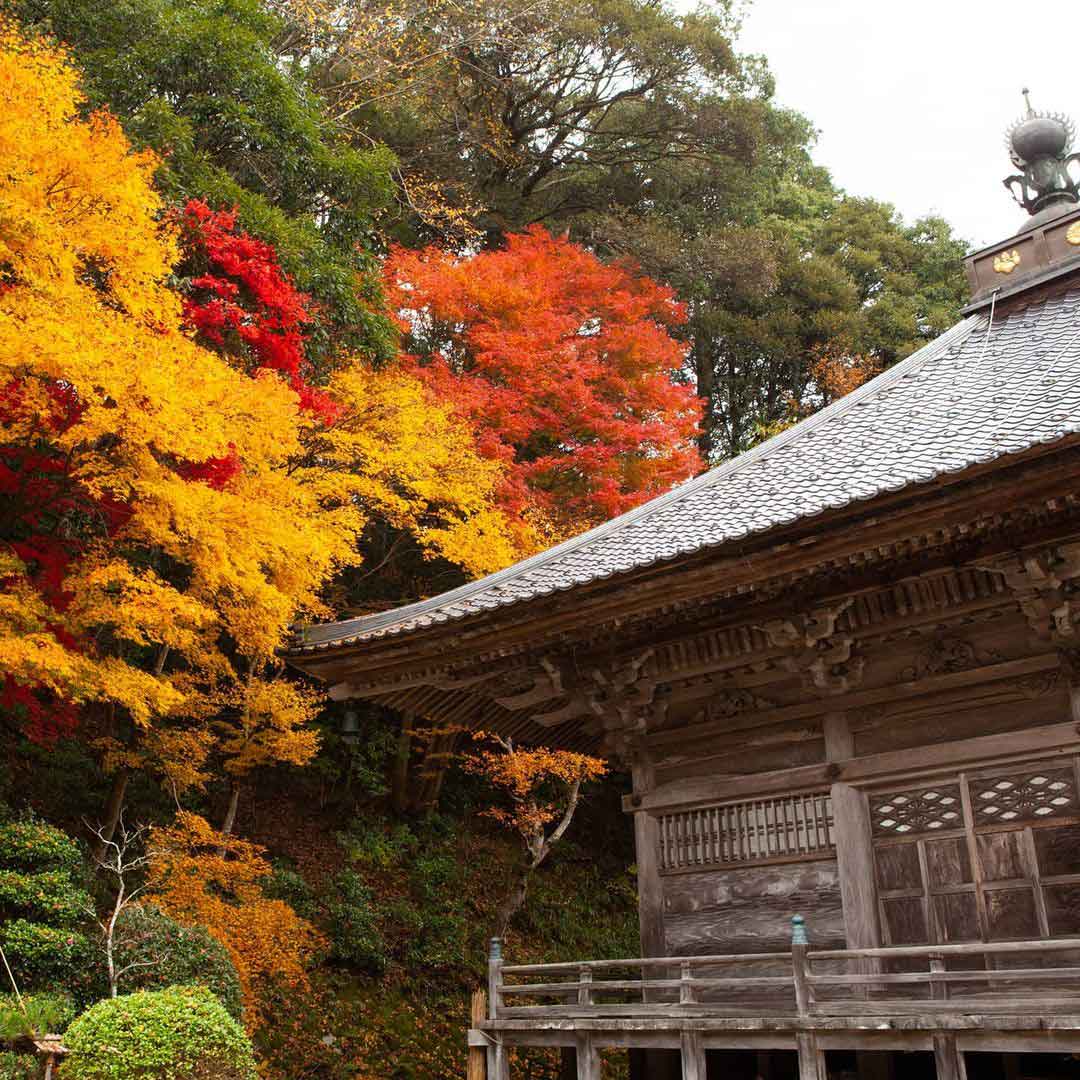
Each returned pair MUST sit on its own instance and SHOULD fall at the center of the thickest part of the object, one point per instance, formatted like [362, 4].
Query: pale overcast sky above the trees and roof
[912, 98]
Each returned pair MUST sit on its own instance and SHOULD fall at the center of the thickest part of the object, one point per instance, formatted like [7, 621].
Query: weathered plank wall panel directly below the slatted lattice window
[749, 910]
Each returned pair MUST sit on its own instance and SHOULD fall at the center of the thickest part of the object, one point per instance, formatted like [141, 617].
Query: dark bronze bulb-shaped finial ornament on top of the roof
[1039, 145]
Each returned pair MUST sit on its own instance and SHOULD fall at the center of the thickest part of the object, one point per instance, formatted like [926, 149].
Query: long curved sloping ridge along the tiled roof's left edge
[349, 628]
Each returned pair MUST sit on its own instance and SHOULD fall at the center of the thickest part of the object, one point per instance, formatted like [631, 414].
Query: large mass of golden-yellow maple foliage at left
[192, 573]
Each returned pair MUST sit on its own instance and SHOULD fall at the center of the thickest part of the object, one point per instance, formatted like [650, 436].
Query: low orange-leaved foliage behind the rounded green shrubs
[202, 877]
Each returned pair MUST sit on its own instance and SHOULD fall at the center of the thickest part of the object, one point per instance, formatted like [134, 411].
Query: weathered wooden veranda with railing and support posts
[1008, 997]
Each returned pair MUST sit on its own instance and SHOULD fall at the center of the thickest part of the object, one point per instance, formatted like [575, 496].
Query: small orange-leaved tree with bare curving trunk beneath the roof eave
[542, 788]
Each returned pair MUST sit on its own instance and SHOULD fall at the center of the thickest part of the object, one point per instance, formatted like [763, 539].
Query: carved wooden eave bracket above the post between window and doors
[814, 649]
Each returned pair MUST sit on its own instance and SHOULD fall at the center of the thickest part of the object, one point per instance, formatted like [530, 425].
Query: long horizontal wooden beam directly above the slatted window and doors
[890, 765]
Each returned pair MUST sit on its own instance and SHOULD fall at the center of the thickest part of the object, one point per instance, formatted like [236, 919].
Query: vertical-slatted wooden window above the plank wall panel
[793, 827]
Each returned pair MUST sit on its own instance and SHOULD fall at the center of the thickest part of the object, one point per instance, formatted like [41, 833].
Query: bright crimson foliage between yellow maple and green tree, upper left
[246, 306]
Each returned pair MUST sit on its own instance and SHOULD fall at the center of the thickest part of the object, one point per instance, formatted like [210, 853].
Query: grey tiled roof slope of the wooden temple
[976, 394]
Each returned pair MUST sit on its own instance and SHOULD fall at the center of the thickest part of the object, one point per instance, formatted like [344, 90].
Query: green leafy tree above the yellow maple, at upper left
[199, 82]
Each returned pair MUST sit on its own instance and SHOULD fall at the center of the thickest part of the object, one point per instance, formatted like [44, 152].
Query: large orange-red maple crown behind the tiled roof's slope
[564, 366]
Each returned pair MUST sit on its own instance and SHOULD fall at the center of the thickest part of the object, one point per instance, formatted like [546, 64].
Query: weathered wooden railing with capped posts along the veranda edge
[803, 982]
